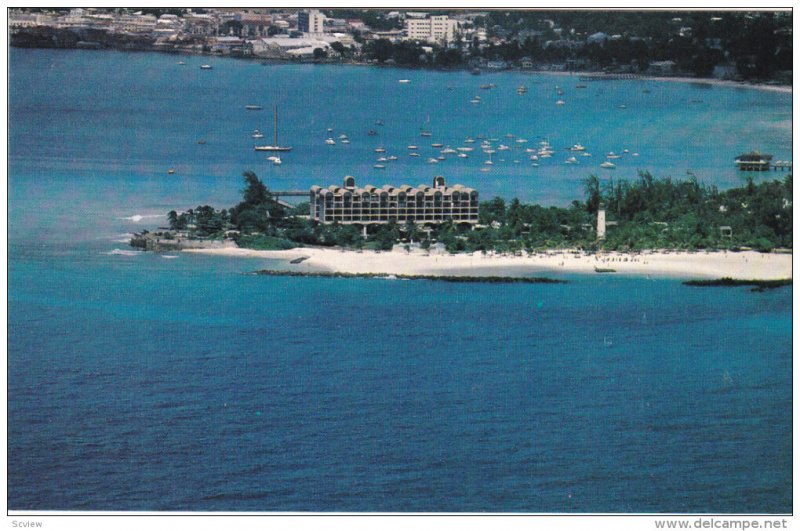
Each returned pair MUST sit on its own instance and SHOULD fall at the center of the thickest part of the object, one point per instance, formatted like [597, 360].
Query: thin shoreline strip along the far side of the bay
[785, 89]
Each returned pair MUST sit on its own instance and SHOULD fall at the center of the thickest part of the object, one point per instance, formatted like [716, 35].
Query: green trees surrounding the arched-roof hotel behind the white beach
[646, 213]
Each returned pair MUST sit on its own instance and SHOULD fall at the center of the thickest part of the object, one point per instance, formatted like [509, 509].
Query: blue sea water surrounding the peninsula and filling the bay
[143, 382]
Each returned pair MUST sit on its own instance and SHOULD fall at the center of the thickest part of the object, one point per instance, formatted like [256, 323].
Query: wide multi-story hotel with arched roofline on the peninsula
[421, 204]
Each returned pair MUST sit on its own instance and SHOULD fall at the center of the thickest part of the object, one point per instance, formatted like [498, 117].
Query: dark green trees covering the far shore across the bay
[759, 44]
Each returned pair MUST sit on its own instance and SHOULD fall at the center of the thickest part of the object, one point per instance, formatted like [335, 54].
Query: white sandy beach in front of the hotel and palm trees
[748, 265]
